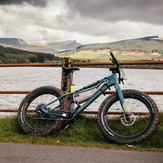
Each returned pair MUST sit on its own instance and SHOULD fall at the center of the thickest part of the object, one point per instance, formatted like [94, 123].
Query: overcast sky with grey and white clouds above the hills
[86, 21]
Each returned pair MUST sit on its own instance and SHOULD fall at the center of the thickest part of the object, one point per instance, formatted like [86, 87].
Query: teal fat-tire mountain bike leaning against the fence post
[125, 117]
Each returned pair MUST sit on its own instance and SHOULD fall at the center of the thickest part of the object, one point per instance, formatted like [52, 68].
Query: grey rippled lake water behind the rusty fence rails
[29, 78]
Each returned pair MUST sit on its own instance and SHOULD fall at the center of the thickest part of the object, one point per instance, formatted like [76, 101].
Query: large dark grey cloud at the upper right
[117, 10]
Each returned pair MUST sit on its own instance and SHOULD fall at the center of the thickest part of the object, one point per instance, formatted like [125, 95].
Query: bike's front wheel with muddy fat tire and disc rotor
[140, 122]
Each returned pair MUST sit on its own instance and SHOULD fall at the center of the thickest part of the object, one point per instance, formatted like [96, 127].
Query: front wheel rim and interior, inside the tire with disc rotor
[137, 107]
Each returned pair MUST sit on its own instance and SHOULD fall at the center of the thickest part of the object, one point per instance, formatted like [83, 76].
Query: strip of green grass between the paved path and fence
[83, 132]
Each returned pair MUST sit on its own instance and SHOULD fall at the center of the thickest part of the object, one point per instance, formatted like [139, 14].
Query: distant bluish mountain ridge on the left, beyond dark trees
[40, 46]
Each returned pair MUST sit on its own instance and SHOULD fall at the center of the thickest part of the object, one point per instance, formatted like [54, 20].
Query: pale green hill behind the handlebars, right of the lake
[146, 48]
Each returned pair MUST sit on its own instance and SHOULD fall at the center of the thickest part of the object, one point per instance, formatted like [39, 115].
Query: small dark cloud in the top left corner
[40, 3]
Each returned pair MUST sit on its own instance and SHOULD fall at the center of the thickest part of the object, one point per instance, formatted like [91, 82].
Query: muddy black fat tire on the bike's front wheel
[112, 136]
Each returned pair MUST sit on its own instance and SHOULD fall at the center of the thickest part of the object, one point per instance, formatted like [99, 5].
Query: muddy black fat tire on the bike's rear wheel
[28, 98]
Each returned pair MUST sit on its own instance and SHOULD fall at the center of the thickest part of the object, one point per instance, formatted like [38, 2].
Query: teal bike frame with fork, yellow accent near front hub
[109, 81]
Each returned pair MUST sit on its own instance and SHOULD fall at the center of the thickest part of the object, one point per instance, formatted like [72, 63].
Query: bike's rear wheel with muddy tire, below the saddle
[32, 120]
